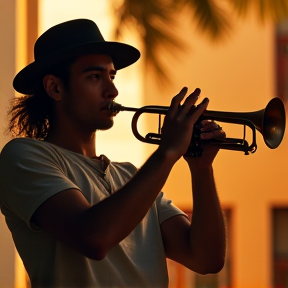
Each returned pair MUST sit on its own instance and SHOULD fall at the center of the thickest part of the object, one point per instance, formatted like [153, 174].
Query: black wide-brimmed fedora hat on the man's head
[67, 40]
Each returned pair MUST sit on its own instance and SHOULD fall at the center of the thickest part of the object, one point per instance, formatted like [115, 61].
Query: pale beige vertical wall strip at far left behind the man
[7, 70]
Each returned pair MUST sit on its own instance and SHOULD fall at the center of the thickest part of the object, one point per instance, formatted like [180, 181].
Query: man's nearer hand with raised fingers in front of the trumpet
[179, 122]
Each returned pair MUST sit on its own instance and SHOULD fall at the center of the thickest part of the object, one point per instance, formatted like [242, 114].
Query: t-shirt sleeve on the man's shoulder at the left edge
[30, 174]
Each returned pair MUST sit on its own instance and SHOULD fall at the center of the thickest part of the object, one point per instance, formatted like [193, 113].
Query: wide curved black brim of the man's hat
[122, 55]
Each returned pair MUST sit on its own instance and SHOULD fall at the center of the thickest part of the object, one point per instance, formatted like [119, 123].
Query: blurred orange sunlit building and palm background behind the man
[237, 53]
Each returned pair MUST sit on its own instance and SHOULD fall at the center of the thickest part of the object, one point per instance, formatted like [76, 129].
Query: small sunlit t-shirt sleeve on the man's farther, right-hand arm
[166, 209]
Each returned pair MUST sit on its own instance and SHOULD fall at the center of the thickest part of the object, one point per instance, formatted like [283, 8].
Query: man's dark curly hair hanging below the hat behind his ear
[31, 115]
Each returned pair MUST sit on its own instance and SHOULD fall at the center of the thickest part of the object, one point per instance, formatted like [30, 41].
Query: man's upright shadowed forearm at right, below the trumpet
[207, 232]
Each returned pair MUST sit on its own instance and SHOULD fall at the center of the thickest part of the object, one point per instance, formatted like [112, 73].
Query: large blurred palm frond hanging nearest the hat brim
[155, 24]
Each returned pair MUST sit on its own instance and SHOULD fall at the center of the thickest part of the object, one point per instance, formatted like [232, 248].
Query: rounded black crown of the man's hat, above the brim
[66, 35]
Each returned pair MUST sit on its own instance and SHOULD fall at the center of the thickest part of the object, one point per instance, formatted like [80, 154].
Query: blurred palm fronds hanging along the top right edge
[154, 21]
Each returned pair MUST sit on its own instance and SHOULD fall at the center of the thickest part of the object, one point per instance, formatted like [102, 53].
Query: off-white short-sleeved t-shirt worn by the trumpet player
[31, 171]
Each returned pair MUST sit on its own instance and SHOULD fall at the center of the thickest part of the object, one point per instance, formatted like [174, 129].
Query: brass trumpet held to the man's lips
[270, 122]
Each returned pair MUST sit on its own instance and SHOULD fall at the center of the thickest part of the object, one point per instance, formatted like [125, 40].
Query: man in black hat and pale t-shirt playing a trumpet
[77, 219]
